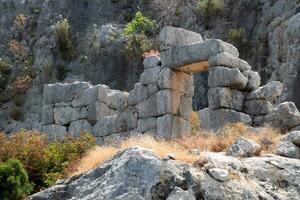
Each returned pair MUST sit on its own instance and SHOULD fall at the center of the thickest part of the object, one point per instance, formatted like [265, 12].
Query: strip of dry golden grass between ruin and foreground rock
[216, 142]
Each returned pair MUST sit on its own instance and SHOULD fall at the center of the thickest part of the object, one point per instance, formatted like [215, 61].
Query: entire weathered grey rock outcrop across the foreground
[137, 173]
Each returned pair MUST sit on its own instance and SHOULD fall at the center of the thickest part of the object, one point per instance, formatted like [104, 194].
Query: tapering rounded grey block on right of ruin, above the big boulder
[269, 92]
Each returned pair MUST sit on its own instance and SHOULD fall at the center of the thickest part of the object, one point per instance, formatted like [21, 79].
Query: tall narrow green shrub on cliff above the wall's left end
[64, 42]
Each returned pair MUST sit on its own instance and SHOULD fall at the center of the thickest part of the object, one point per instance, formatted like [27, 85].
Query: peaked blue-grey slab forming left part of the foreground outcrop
[129, 175]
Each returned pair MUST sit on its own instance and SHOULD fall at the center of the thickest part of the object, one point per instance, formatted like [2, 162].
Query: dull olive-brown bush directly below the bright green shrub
[138, 44]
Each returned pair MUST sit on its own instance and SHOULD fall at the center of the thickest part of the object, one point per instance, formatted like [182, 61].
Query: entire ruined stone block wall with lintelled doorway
[161, 103]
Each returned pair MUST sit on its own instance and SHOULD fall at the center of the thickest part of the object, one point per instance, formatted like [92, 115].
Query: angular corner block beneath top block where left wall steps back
[96, 111]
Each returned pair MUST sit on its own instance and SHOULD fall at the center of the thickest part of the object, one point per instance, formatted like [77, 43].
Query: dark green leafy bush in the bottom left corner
[14, 183]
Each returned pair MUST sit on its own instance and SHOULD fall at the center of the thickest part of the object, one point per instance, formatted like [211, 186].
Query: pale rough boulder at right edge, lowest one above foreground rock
[288, 149]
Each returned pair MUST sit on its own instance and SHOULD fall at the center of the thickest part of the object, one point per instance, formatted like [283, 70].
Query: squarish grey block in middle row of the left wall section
[65, 115]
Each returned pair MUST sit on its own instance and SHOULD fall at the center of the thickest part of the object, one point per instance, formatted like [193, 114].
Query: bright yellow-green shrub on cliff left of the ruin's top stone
[141, 25]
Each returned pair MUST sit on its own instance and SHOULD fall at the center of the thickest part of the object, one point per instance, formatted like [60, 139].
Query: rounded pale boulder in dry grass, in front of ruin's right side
[244, 148]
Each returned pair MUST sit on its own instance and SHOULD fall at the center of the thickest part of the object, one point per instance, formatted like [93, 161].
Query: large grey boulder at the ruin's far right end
[284, 116]
